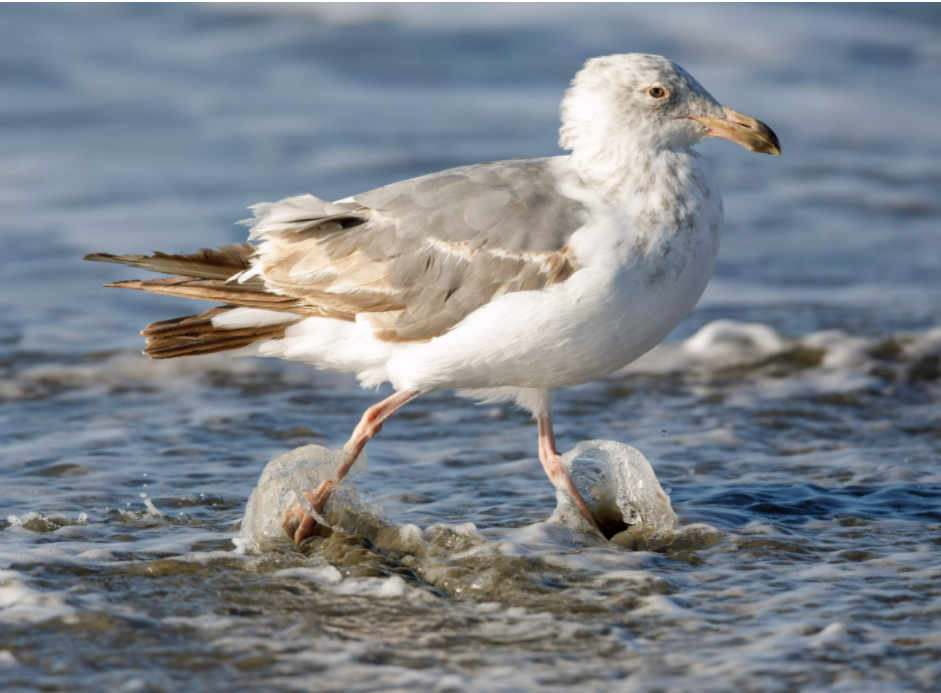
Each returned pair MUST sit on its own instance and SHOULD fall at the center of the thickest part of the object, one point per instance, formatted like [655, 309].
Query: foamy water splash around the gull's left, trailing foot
[281, 486]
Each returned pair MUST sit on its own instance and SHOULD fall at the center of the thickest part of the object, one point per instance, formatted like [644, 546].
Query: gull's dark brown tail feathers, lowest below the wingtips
[195, 335]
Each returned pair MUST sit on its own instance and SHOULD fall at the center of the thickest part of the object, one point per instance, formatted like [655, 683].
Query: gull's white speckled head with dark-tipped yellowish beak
[622, 104]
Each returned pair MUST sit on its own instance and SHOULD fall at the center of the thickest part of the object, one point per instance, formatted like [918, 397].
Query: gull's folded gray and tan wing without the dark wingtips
[417, 257]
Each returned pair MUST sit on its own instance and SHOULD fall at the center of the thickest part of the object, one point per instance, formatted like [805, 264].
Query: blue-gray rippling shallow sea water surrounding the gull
[799, 444]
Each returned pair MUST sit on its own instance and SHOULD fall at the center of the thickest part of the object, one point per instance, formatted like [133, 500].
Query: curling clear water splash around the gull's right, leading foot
[619, 486]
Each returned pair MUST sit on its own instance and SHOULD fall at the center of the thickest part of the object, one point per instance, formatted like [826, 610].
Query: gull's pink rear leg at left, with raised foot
[298, 523]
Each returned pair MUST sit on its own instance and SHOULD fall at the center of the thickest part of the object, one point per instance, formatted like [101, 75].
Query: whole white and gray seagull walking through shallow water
[501, 281]
